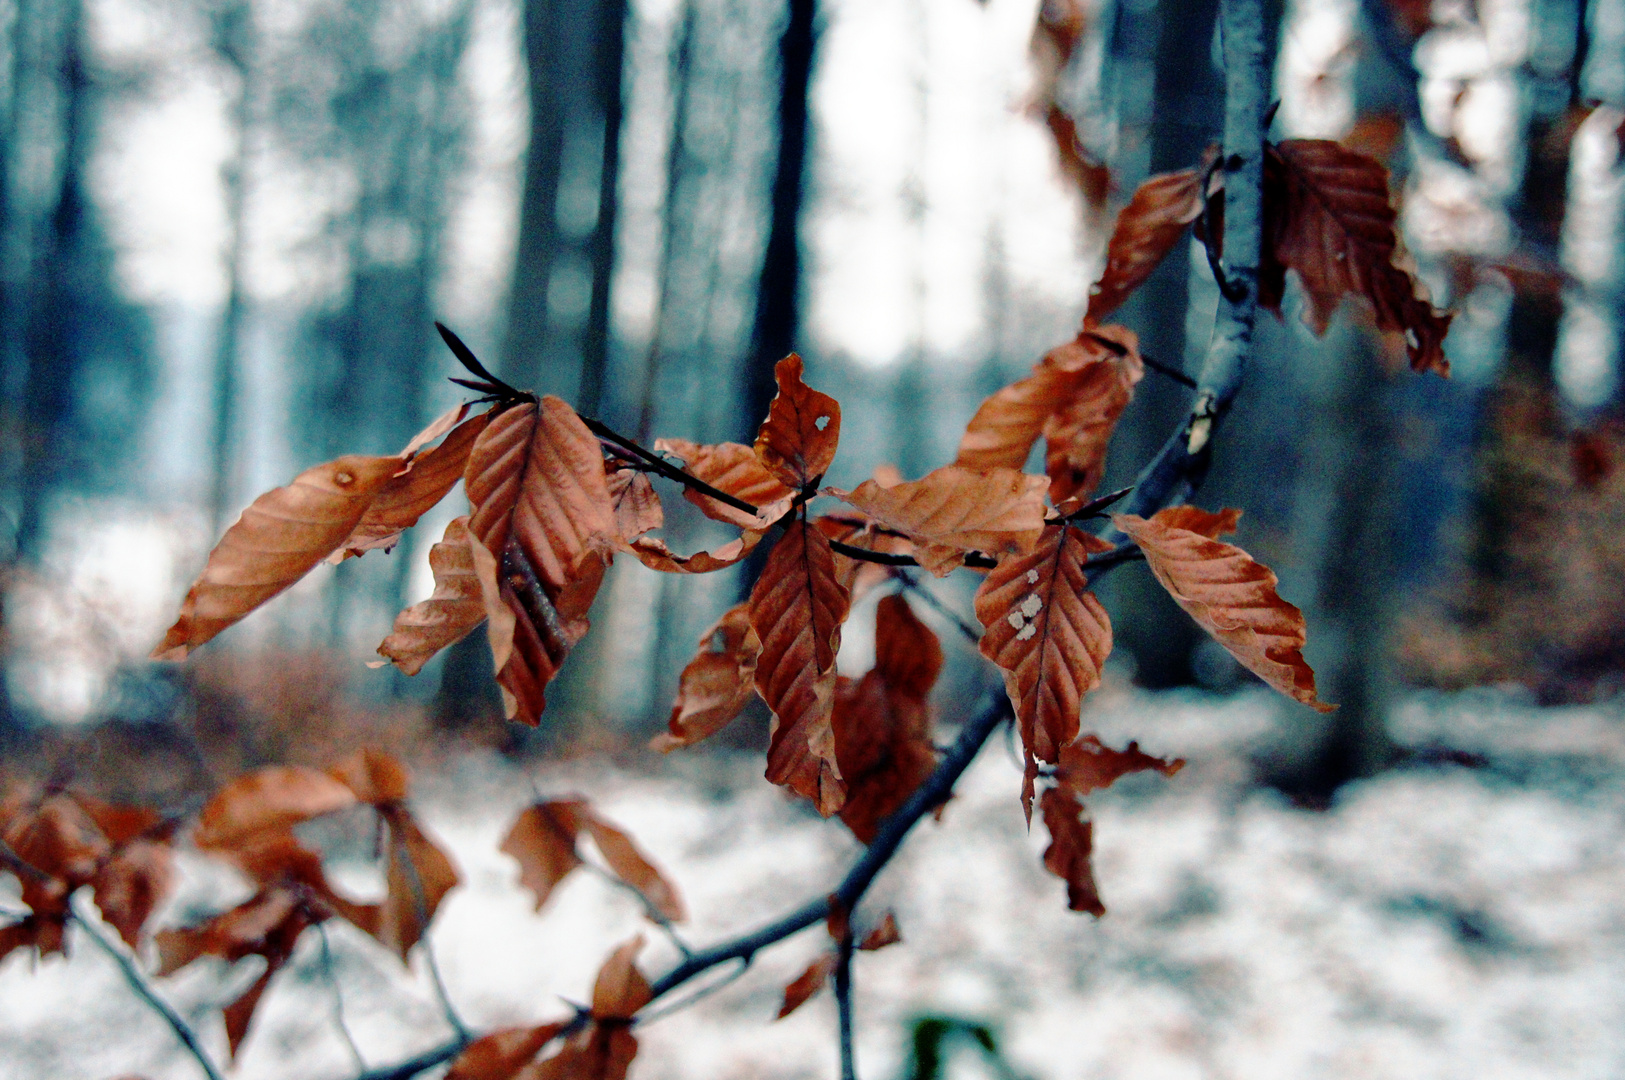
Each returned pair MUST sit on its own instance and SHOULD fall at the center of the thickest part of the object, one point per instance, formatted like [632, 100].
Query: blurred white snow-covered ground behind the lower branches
[1434, 923]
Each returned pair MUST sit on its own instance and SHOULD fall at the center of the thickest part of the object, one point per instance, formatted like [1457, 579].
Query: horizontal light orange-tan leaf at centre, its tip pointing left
[994, 511]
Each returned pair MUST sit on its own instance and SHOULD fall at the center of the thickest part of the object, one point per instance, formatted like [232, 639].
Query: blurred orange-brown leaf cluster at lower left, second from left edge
[251, 823]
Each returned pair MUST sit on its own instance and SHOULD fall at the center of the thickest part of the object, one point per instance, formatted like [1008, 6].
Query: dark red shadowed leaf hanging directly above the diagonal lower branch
[883, 727]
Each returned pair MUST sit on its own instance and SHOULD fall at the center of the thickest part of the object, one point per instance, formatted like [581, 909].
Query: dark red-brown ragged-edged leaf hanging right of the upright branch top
[1328, 217]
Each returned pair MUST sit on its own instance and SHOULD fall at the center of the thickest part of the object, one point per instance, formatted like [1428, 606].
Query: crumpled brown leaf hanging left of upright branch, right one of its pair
[1078, 434]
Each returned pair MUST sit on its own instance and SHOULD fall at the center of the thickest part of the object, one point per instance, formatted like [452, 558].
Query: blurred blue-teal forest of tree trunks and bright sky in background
[227, 228]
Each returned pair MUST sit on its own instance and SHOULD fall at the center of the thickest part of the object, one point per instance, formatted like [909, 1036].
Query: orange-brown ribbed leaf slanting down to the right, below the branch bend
[1228, 595]
